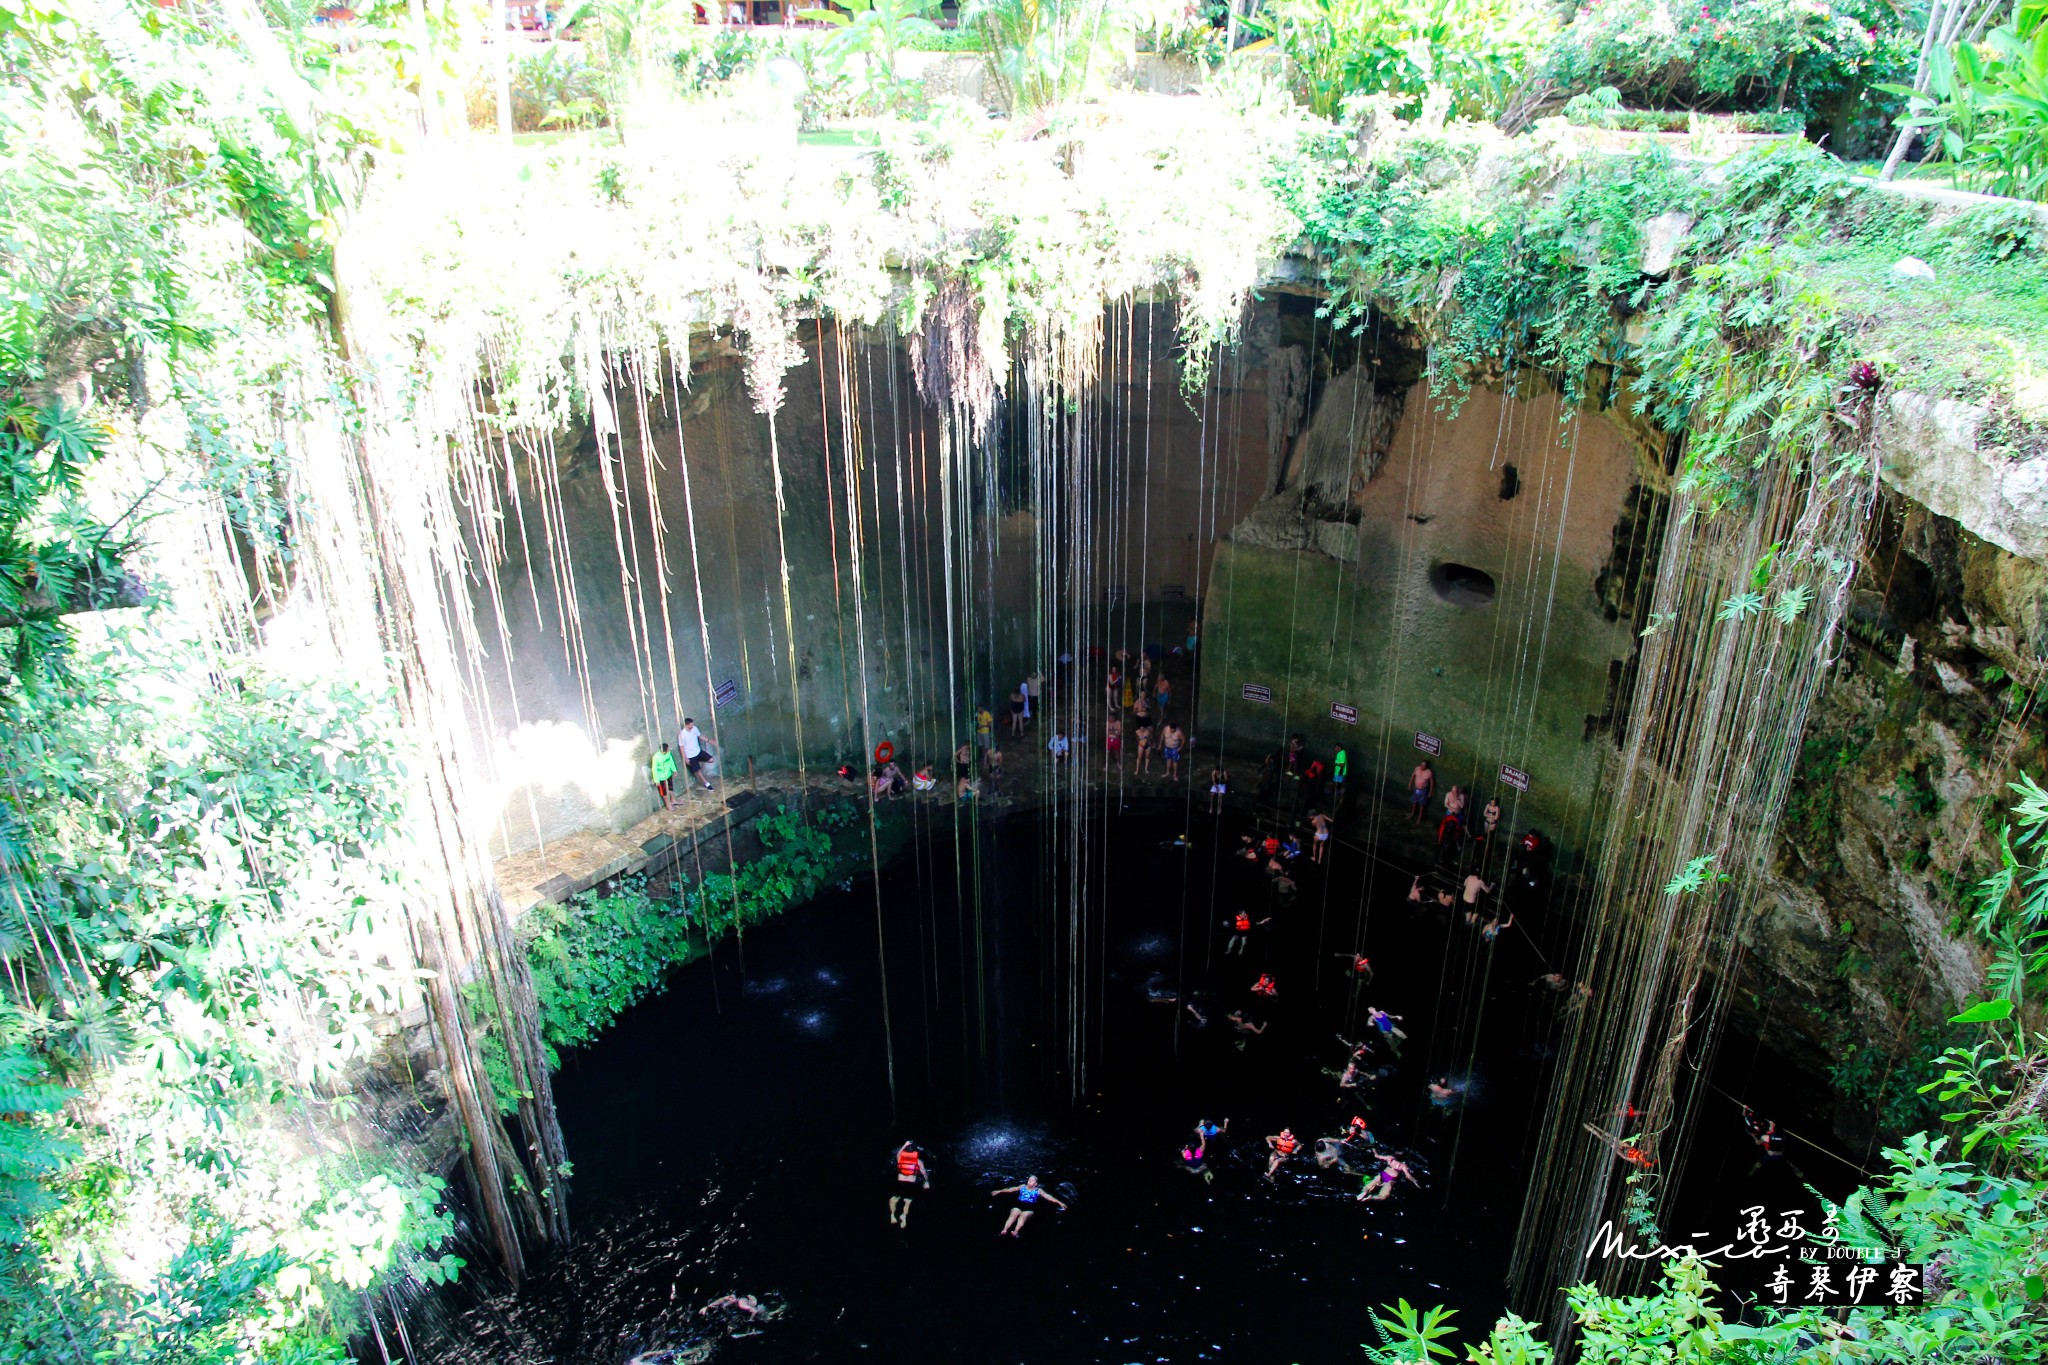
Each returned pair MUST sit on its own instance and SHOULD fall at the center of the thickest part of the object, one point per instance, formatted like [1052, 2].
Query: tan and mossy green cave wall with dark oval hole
[1349, 588]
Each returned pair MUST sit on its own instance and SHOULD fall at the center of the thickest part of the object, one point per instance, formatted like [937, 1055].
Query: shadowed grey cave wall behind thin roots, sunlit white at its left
[570, 713]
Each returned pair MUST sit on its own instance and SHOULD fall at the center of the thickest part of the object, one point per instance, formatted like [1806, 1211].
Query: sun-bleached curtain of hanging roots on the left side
[388, 554]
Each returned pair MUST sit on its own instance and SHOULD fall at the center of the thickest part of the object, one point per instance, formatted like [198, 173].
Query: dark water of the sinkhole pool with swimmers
[736, 1135]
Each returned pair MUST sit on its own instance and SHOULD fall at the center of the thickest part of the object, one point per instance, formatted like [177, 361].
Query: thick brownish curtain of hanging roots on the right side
[1713, 734]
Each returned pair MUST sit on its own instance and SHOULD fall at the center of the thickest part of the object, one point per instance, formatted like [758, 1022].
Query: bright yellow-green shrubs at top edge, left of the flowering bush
[1474, 50]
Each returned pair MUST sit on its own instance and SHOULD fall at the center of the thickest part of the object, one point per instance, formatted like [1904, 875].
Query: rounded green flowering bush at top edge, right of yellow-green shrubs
[1805, 56]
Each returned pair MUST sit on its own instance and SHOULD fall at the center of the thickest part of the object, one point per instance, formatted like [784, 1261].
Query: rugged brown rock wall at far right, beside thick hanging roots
[1861, 951]
